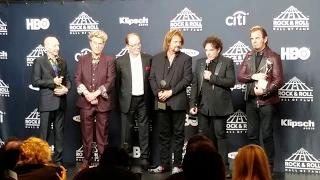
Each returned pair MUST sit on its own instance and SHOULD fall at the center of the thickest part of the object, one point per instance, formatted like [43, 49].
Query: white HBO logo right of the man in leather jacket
[294, 53]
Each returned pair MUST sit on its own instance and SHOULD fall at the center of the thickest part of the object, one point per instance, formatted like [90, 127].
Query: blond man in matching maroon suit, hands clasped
[94, 77]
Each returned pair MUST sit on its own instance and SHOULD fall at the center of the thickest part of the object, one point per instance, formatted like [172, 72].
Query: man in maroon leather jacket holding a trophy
[261, 71]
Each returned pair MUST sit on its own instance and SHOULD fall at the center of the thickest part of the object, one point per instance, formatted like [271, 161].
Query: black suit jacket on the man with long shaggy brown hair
[178, 78]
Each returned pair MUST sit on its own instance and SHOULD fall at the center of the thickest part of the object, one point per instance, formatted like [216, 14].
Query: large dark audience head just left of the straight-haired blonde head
[202, 161]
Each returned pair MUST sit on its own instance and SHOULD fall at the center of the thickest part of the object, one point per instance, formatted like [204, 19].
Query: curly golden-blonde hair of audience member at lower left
[34, 151]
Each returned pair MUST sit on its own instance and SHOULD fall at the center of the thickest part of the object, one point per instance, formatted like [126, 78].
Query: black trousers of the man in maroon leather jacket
[261, 117]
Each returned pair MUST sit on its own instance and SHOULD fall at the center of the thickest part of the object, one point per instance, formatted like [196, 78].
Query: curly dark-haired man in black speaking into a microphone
[211, 95]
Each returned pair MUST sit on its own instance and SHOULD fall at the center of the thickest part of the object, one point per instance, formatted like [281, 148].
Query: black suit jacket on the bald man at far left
[42, 77]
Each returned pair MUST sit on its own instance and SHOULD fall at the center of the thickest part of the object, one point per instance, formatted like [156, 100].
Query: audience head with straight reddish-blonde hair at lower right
[251, 162]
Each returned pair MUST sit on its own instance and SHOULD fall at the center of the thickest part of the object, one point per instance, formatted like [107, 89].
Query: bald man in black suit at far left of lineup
[51, 75]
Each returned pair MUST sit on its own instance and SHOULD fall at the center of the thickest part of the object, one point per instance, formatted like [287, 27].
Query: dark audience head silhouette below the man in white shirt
[114, 156]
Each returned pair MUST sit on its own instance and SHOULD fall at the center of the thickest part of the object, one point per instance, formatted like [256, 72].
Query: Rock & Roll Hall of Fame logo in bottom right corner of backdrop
[302, 162]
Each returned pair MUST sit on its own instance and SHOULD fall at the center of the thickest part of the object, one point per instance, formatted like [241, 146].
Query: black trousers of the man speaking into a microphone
[214, 127]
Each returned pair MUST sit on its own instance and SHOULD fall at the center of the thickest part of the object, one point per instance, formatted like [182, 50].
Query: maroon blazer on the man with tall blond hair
[105, 76]
